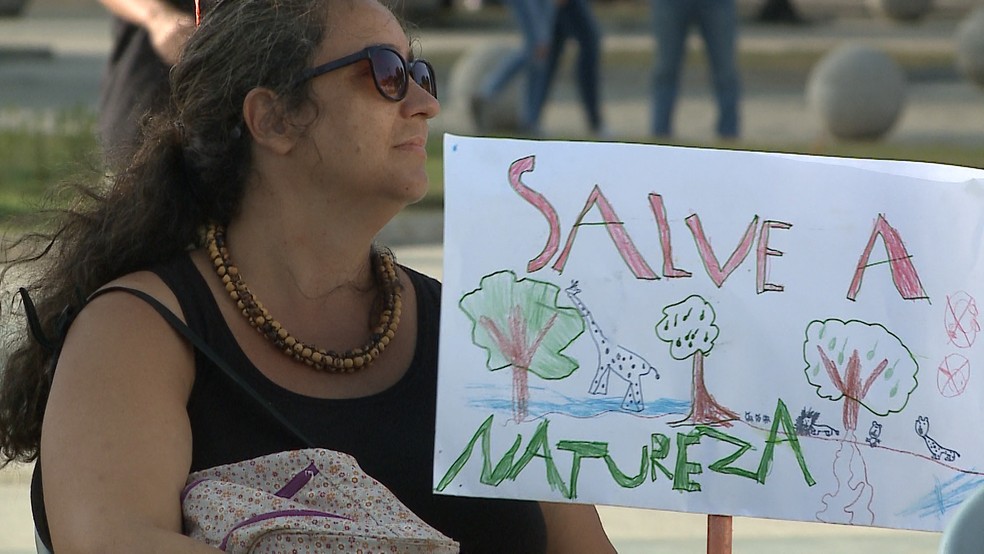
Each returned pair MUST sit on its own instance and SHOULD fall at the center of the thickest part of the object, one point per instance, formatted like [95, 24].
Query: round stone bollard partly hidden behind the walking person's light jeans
[496, 114]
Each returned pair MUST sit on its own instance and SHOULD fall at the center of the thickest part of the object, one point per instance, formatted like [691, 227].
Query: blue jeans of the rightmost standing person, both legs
[717, 21]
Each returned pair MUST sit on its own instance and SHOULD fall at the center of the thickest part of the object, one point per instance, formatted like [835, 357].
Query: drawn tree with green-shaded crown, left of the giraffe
[520, 325]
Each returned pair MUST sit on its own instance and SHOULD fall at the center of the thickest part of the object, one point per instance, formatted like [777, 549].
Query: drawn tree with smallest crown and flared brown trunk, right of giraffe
[689, 328]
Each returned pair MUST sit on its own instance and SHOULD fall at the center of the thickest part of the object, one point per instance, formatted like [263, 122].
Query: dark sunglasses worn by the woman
[389, 71]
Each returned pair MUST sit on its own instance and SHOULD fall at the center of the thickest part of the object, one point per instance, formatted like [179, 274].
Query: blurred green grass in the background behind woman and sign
[40, 154]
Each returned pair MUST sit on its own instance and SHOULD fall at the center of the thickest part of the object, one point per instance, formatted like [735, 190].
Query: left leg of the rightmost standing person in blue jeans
[671, 20]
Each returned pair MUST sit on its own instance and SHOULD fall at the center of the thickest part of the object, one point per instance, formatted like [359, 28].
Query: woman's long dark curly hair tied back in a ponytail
[191, 168]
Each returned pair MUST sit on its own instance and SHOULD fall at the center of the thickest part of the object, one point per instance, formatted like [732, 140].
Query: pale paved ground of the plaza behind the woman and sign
[52, 59]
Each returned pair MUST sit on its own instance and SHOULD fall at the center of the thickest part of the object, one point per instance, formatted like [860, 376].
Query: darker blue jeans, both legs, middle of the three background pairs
[574, 19]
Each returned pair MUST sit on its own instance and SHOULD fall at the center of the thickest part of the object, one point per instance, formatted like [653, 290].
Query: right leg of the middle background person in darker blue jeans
[576, 19]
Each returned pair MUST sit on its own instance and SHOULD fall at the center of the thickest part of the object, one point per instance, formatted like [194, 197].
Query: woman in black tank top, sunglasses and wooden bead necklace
[295, 136]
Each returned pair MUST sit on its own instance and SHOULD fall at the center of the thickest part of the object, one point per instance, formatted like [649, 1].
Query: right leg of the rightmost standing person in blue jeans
[718, 22]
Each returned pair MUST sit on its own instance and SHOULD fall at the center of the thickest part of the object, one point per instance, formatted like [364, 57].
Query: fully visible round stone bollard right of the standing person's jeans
[857, 92]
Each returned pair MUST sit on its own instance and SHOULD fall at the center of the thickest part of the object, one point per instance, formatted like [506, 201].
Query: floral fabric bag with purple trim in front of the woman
[303, 501]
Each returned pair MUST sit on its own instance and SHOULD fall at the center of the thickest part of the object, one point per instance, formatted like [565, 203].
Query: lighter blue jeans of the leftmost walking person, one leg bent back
[535, 19]
